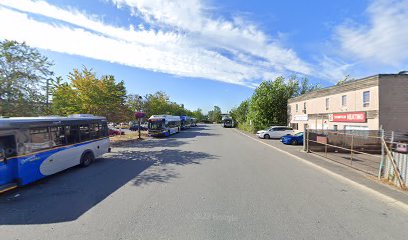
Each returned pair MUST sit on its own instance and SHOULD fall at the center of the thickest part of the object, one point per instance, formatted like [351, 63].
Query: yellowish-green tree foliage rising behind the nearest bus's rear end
[85, 93]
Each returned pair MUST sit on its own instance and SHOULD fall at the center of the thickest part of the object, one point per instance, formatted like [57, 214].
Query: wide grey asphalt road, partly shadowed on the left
[204, 183]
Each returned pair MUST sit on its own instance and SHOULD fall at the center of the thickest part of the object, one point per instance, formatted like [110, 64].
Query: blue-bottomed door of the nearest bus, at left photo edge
[8, 162]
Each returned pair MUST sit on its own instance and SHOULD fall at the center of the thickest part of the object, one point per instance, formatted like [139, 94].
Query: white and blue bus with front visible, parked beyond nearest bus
[163, 125]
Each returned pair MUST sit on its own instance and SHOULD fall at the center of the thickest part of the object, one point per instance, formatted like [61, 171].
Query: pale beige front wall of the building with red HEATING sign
[318, 115]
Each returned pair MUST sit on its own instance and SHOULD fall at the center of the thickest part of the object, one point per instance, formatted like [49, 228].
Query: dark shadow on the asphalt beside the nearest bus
[69, 194]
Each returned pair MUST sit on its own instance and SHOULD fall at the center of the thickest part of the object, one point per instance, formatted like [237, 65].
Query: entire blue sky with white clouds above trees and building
[205, 52]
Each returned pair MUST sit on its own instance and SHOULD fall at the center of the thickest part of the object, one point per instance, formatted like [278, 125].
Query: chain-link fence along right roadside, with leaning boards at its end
[378, 153]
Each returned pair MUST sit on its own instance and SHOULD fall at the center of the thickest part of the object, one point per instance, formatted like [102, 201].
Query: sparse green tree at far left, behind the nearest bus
[25, 77]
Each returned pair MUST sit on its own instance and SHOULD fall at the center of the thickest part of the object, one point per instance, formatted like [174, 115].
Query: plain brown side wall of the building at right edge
[393, 92]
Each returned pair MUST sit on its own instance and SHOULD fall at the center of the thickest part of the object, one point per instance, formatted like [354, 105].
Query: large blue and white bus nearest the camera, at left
[36, 147]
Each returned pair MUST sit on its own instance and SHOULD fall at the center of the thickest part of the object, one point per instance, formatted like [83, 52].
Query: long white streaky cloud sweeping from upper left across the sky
[184, 40]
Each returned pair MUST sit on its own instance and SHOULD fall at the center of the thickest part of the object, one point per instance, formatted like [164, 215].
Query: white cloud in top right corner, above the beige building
[383, 40]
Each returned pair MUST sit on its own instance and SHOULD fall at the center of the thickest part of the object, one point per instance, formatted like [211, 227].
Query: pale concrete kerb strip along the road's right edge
[388, 200]
